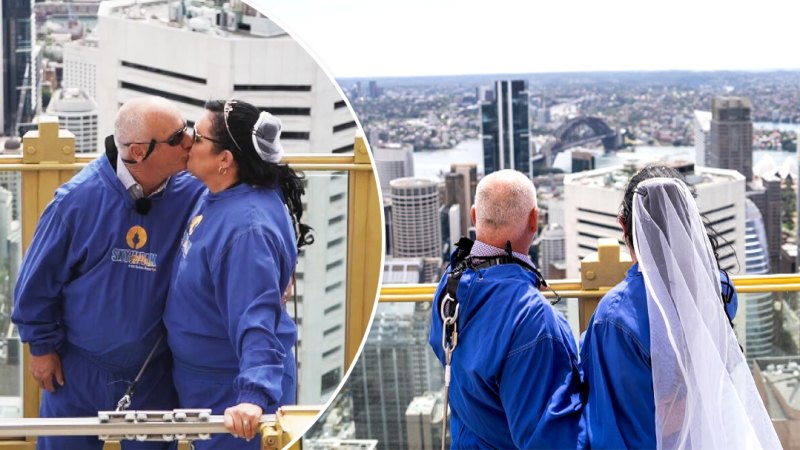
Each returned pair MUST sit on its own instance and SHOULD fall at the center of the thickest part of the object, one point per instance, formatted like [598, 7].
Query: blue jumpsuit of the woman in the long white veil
[615, 360]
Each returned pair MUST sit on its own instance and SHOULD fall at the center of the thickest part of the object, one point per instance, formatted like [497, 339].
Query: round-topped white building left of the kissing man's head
[77, 112]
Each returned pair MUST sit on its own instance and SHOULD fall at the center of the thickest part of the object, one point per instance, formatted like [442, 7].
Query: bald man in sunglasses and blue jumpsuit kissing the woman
[93, 284]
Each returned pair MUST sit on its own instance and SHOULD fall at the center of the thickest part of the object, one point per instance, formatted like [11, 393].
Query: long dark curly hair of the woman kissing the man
[252, 169]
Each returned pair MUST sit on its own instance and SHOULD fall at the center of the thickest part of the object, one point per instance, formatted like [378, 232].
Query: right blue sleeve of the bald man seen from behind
[540, 390]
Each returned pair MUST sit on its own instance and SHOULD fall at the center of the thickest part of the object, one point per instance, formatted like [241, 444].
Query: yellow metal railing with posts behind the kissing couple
[48, 160]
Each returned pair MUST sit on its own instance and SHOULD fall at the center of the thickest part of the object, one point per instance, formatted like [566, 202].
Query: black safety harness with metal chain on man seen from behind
[448, 306]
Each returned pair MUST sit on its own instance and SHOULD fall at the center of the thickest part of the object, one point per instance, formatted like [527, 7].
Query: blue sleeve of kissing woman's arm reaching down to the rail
[248, 292]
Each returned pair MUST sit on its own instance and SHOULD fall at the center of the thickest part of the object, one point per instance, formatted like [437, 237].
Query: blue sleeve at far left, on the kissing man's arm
[38, 294]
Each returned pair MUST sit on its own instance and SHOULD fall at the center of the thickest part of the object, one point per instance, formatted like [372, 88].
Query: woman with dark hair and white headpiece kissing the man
[228, 329]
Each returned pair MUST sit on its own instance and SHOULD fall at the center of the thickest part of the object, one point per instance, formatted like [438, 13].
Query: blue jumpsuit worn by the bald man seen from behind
[515, 380]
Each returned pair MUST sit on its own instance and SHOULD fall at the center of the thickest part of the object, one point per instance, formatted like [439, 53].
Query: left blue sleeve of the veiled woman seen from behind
[621, 405]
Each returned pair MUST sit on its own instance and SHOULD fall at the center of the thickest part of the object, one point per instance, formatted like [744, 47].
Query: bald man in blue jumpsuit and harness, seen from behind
[515, 380]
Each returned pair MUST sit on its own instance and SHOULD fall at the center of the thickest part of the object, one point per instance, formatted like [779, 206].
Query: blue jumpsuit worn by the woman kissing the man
[229, 334]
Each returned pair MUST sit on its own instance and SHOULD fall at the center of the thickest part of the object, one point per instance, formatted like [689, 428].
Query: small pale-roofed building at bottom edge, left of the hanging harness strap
[424, 421]
